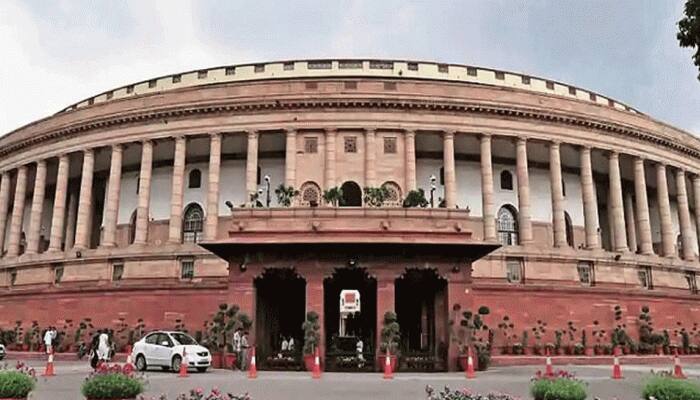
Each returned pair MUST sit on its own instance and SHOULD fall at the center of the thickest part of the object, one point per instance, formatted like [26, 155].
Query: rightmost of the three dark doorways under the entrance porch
[421, 309]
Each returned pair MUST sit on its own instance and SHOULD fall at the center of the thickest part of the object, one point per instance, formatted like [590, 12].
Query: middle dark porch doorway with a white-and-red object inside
[342, 340]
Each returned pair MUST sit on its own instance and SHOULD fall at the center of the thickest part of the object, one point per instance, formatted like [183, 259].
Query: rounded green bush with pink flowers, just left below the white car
[112, 383]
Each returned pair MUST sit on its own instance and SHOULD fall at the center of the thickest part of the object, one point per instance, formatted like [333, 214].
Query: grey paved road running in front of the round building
[347, 386]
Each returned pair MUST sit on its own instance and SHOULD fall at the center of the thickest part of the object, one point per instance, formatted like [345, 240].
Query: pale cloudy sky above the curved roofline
[54, 53]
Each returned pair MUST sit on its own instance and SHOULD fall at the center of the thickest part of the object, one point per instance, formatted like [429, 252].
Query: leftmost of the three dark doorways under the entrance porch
[280, 304]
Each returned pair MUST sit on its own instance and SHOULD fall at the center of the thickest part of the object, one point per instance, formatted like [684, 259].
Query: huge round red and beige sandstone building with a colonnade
[415, 187]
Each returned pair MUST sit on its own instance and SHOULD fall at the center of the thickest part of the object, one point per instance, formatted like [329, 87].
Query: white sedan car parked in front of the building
[164, 349]
